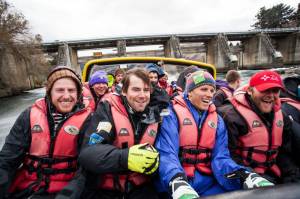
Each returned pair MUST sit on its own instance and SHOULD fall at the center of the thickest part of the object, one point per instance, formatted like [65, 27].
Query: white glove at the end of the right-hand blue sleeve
[254, 180]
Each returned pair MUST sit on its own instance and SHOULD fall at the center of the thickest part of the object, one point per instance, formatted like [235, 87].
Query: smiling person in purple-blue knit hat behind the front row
[96, 88]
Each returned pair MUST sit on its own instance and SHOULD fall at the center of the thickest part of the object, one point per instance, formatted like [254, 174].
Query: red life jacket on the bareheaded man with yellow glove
[125, 139]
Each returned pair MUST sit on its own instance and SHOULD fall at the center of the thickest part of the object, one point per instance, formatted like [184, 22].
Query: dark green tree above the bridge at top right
[279, 16]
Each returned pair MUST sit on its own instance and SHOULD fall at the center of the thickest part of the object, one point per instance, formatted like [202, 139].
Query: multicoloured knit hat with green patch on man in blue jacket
[199, 78]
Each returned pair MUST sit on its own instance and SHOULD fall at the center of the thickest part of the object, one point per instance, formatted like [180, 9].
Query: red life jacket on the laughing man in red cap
[259, 148]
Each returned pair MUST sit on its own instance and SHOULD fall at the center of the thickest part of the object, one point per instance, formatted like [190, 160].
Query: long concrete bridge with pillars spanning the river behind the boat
[244, 50]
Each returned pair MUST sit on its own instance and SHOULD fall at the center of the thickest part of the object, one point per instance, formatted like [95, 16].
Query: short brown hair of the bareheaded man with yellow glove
[138, 72]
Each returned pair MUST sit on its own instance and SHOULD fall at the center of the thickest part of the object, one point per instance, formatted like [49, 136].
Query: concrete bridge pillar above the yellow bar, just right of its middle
[172, 47]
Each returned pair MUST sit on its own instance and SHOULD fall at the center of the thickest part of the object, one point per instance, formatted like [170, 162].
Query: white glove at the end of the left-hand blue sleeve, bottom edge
[182, 190]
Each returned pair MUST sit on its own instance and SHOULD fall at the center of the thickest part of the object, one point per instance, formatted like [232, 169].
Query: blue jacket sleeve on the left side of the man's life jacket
[167, 143]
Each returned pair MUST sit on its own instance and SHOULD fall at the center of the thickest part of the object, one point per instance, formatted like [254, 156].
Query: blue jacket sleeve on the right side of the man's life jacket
[221, 161]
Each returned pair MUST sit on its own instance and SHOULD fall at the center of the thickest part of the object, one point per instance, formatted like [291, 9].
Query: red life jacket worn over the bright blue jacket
[195, 147]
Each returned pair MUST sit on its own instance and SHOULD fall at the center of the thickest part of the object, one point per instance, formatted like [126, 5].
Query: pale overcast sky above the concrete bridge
[88, 19]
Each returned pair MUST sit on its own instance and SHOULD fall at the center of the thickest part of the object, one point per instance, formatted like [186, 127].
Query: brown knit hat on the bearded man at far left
[60, 72]
